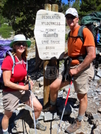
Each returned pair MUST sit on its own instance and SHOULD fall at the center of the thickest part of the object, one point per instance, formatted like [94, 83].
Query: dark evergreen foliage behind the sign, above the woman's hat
[21, 14]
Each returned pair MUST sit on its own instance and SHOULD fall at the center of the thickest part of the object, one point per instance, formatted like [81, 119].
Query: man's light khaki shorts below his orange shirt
[81, 80]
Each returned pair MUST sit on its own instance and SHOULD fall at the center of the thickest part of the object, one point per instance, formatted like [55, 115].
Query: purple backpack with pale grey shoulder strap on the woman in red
[5, 50]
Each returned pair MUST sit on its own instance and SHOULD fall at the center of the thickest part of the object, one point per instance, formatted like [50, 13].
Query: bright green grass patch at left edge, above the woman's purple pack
[5, 31]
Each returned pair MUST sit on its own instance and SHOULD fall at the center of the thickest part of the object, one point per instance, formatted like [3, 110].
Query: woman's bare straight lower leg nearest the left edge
[5, 119]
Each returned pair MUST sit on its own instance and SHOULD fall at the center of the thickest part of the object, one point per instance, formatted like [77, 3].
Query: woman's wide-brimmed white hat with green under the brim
[19, 38]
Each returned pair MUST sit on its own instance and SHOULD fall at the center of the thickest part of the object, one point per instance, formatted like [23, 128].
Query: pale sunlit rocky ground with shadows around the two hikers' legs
[21, 122]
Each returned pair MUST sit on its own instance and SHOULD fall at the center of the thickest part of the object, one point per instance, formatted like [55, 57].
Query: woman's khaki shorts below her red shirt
[12, 99]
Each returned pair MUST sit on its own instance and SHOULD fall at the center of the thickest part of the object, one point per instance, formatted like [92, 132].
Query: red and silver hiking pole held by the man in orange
[64, 106]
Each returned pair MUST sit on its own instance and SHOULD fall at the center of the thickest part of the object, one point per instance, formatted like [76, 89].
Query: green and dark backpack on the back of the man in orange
[93, 23]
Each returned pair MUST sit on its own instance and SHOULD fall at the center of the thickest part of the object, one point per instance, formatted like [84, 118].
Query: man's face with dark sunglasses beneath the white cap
[71, 20]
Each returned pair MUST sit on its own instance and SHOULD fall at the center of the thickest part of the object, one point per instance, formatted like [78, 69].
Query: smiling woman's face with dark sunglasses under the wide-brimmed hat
[20, 47]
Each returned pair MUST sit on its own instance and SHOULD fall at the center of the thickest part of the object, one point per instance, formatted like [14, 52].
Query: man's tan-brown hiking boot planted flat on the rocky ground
[73, 127]
